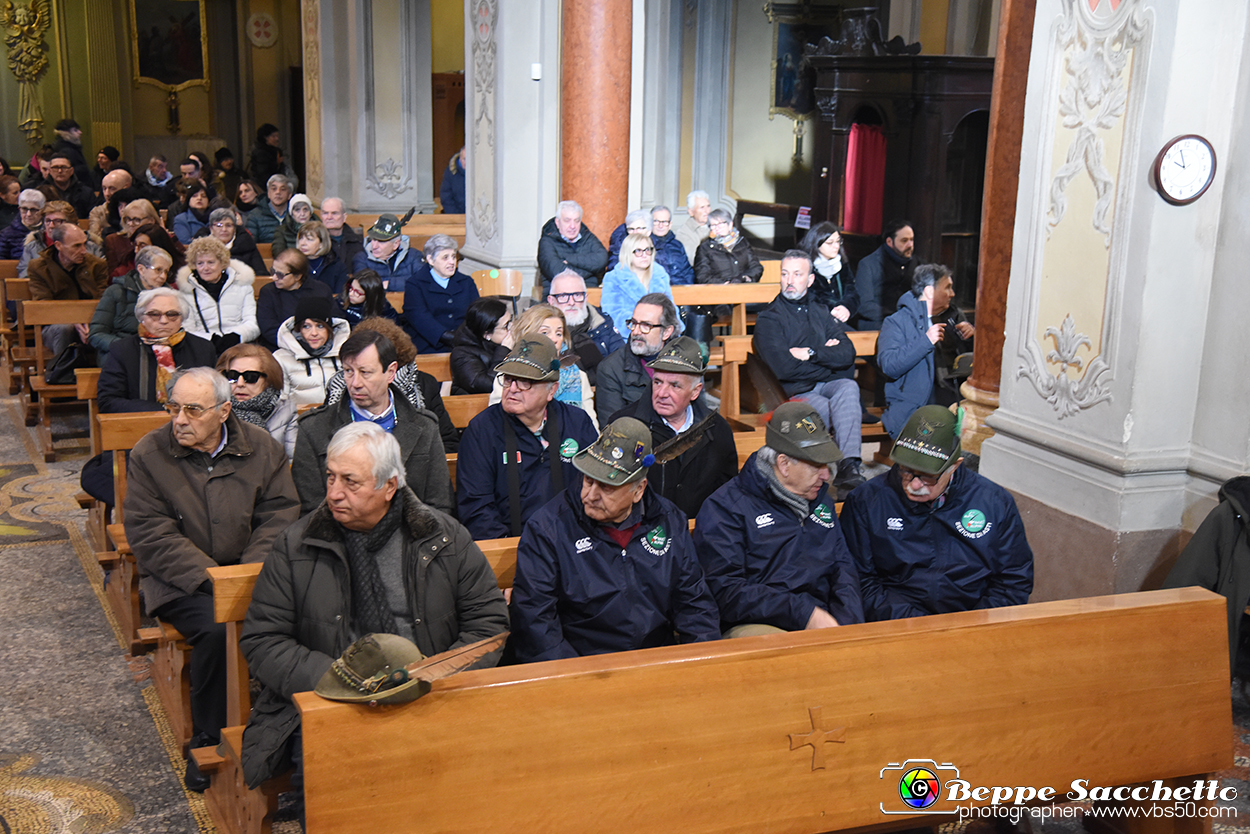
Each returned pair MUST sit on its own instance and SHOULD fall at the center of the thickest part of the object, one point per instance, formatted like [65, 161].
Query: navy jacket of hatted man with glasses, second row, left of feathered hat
[482, 477]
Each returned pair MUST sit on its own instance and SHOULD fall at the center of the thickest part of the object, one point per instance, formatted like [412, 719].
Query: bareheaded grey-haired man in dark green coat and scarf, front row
[372, 560]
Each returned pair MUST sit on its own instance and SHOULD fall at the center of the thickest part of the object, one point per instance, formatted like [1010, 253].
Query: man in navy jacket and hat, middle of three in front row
[769, 543]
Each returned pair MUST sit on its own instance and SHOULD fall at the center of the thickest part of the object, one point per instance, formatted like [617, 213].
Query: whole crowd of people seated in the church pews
[597, 448]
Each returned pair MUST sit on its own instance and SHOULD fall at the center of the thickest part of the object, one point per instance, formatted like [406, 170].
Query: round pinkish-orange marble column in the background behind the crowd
[594, 111]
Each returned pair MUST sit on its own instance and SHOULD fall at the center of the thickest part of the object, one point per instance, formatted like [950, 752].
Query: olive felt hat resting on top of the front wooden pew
[373, 671]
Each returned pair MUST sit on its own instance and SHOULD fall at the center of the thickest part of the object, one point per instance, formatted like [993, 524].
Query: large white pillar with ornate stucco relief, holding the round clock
[1122, 401]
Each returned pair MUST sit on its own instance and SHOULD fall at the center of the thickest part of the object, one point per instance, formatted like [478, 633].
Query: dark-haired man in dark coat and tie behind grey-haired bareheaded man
[369, 367]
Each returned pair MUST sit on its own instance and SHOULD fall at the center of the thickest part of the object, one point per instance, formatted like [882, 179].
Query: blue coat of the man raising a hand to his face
[907, 358]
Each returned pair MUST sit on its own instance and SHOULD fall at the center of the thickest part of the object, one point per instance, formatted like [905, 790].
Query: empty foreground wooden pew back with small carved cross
[803, 733]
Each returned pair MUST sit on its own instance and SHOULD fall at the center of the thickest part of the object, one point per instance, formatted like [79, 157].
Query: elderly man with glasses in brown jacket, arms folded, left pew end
[206, 491]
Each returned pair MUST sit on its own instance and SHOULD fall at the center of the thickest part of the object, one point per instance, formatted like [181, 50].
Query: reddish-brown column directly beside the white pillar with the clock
[998, 216]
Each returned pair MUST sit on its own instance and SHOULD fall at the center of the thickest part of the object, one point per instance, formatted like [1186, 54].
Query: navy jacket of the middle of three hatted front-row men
[767, 566]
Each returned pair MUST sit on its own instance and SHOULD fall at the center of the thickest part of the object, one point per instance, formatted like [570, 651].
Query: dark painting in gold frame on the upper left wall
[168, 44]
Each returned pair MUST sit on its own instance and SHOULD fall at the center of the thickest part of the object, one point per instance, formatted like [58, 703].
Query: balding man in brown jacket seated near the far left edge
[67, 272]
